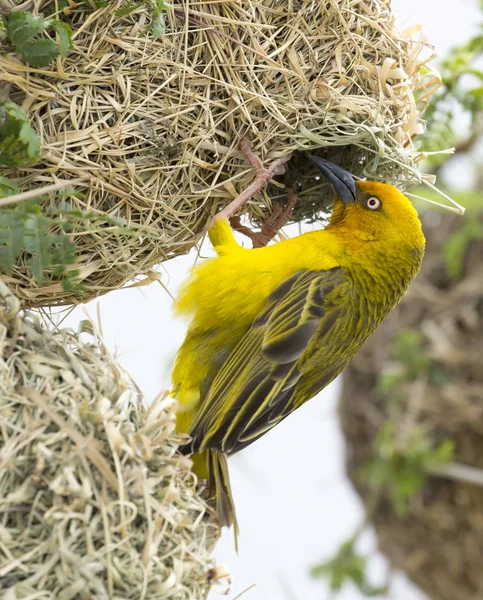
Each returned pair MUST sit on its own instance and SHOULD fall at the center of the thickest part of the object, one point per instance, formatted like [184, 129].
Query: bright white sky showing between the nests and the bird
[294, 504]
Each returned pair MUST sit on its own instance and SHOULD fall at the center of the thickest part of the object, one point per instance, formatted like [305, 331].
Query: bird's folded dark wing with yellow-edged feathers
[255, 387]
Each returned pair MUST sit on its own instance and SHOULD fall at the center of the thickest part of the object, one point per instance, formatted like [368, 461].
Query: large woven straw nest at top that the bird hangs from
[152, 126]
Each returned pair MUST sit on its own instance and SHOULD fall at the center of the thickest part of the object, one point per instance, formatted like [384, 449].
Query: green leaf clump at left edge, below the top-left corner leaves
[19, 144]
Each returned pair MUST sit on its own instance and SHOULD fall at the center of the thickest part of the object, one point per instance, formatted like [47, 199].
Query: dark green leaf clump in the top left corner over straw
[29, 36]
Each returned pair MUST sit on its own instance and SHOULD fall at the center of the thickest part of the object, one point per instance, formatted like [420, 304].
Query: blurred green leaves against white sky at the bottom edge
[347, 567]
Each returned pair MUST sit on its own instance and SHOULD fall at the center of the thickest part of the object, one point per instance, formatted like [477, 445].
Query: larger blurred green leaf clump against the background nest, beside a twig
[400, 469]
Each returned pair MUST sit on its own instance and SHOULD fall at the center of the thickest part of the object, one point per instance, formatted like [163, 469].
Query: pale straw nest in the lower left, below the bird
[95, 502]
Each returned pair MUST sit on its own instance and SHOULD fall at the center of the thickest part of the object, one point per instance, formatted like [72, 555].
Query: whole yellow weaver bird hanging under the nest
[271, 327]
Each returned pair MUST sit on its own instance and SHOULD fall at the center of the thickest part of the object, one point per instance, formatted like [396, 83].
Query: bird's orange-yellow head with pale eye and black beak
[370, 211]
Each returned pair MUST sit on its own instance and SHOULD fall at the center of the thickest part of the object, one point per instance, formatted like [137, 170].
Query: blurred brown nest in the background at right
[439, 544]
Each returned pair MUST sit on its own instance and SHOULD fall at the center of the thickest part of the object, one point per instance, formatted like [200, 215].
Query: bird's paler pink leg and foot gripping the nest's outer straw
[262, 177]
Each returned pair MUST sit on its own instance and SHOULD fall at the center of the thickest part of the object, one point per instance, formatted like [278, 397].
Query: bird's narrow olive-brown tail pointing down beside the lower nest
[212, 465]
